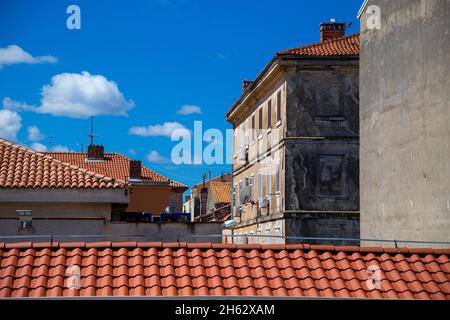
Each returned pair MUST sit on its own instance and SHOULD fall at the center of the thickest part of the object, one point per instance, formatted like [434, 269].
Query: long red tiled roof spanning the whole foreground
[173, 269]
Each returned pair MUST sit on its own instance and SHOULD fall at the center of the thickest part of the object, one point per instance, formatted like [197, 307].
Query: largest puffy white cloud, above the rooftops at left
[77, 96]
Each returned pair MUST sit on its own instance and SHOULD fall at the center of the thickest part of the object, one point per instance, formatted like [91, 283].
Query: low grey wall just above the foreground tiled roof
[110, 231]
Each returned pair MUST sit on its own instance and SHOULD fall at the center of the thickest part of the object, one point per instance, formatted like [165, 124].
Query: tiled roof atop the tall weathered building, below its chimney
[344, 46]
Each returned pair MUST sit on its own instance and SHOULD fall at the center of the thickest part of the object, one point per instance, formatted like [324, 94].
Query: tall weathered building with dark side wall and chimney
[296, 149]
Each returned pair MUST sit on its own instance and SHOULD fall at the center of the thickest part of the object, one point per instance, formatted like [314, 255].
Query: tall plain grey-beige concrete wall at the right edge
[405, 122]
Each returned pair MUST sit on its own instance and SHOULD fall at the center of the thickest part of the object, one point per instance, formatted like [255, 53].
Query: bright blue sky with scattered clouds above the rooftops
[150, 58]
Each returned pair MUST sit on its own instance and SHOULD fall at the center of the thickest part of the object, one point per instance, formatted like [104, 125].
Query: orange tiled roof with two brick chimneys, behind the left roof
[115, 165]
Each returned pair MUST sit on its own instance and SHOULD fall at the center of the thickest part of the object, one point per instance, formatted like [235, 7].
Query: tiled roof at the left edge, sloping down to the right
[21, 167]
